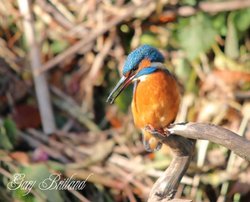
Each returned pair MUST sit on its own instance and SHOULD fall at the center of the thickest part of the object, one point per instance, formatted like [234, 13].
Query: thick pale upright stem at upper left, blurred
[41, 85]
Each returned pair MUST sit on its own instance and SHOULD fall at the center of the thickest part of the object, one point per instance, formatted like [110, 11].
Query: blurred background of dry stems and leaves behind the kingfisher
[59, 59]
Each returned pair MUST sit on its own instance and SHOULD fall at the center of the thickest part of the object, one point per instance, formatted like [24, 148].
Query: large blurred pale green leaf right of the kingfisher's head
[197, 36]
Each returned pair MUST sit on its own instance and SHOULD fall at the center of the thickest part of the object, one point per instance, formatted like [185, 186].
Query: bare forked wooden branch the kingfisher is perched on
[181, 144]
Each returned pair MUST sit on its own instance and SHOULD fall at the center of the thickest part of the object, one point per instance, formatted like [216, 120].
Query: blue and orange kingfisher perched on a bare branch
[156, 95]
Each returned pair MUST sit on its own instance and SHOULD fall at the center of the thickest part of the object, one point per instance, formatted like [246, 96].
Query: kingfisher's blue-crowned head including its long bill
[138, 63]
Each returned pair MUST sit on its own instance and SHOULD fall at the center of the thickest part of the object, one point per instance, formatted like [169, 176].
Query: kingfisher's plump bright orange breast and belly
[156, 100]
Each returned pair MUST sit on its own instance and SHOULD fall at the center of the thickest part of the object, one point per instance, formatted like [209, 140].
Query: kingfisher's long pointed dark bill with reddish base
[120, 86]
